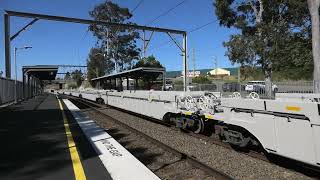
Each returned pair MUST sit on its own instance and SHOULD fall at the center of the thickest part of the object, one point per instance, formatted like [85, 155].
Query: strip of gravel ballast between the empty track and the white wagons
[237, 165]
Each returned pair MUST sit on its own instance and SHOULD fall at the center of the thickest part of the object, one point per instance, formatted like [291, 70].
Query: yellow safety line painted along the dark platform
[76, 162]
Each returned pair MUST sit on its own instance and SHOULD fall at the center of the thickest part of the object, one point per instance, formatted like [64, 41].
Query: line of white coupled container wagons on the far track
[288, 126]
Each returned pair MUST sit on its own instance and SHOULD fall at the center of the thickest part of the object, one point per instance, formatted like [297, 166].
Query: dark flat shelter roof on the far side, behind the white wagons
[132, 73]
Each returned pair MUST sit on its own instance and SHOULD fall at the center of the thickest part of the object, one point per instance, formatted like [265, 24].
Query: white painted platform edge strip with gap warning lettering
[119, 162]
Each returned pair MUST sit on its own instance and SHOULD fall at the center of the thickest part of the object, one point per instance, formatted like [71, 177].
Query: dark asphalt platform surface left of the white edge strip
[35, 143]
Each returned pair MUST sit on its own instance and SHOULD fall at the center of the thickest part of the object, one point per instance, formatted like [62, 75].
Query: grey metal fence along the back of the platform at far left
[7, 90]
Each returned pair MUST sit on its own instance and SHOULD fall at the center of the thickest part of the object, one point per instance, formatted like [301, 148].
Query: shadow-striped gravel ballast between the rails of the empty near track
[163, 163]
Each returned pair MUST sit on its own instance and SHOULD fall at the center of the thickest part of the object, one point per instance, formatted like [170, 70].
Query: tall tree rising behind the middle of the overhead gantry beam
[119, 42]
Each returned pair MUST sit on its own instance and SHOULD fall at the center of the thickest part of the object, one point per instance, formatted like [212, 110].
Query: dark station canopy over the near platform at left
[42, 72]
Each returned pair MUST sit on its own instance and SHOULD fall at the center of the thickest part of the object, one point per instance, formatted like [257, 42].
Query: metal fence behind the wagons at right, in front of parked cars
[245, 89]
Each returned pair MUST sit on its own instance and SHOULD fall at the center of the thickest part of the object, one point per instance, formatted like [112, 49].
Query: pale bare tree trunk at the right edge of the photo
[313, 6]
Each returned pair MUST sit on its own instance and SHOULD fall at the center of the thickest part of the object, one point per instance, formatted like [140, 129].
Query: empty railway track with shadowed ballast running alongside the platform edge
[174, 164]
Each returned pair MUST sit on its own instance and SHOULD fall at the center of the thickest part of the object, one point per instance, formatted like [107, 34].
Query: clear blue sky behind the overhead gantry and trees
[68, 43]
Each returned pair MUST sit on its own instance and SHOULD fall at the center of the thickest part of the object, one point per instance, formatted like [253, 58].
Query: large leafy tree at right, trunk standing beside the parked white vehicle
[267, 28]
